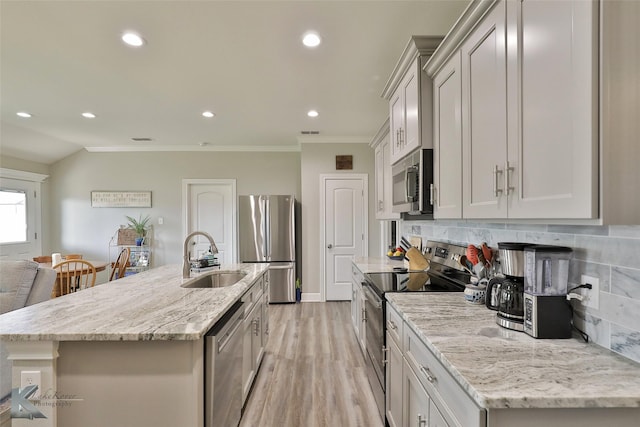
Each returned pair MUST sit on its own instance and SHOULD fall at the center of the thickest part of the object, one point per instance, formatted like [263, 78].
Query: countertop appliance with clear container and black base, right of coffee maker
[547, 313]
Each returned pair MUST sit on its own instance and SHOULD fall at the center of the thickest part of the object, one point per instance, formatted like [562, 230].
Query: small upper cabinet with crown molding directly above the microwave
[409, 93]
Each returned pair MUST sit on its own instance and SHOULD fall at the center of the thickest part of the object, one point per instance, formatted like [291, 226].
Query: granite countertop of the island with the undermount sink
[147, 306]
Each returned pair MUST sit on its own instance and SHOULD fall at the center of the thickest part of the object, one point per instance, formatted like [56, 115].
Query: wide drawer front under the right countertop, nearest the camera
[455, 405]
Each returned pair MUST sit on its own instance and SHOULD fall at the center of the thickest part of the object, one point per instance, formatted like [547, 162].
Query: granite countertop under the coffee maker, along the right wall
[500, 368]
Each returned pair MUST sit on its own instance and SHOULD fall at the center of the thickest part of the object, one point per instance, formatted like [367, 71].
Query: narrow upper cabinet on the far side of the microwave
[384, 183]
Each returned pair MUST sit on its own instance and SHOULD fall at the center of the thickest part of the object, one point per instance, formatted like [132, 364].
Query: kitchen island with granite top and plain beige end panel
[127, 352]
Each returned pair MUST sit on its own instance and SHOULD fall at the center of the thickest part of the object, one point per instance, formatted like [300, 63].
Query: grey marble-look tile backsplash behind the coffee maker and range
[610, 253]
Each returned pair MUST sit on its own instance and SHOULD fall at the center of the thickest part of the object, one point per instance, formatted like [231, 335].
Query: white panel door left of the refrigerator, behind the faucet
[210, 206]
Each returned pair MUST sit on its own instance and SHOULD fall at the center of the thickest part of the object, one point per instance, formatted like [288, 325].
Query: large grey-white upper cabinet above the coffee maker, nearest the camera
[529, 100]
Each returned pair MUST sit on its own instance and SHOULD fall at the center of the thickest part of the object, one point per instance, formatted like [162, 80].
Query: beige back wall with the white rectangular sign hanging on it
[77, 227]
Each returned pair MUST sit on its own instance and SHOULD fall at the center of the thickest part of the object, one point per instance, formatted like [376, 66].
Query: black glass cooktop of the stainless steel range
[448, 280]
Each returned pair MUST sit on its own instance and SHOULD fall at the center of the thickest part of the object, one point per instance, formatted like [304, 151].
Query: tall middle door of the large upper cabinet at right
[484, 117]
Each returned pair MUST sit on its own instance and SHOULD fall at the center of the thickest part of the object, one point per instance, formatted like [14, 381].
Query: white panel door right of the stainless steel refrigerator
[345, 230]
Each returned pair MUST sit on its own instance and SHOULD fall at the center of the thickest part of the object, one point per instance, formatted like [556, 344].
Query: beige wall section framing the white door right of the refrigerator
[317, 159]
